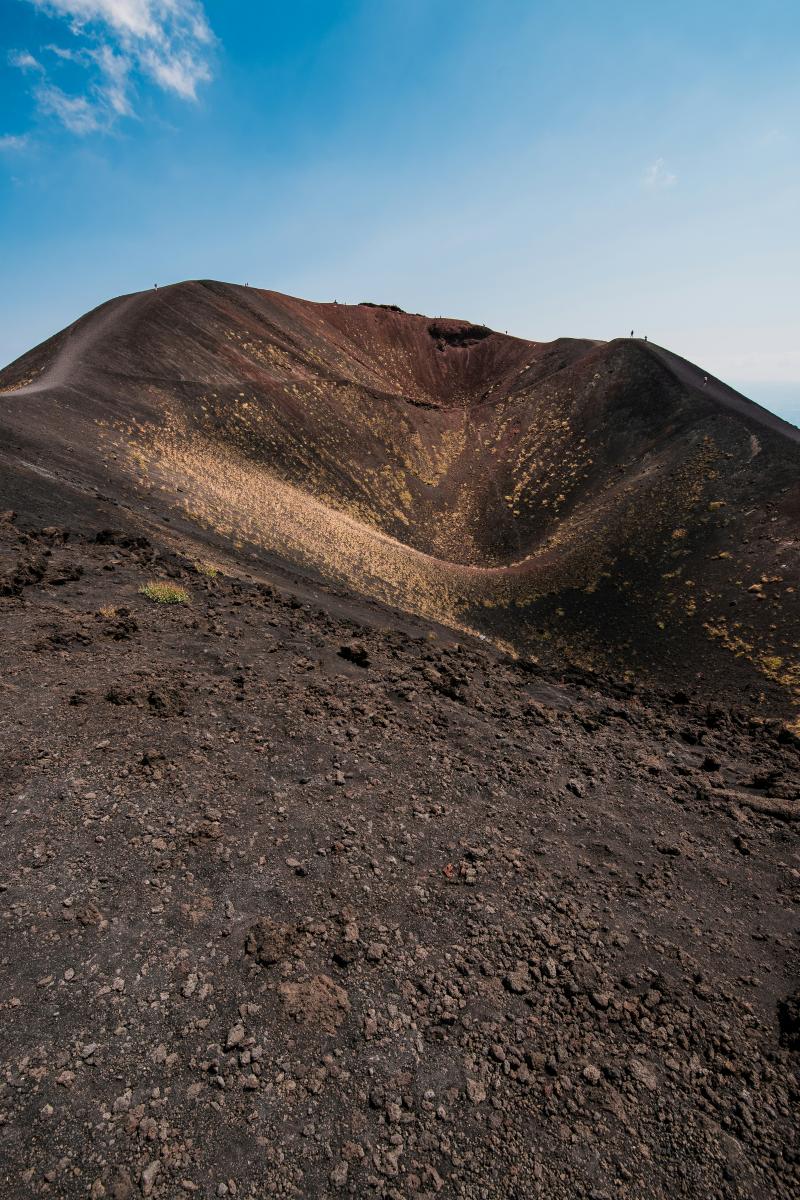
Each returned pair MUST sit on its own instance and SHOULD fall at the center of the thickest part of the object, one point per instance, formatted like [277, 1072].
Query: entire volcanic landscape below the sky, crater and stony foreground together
[306, 897]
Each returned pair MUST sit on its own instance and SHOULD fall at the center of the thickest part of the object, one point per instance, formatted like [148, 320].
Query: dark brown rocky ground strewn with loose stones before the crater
[300, 897]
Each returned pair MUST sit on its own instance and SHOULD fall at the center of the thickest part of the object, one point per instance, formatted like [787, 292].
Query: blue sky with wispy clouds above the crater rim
[546, 169]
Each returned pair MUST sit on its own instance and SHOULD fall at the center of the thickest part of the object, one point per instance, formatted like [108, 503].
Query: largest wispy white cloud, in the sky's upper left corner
[121, 43]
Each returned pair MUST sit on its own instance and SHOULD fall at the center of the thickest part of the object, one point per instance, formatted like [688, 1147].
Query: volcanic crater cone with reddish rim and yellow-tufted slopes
[604, 505]
